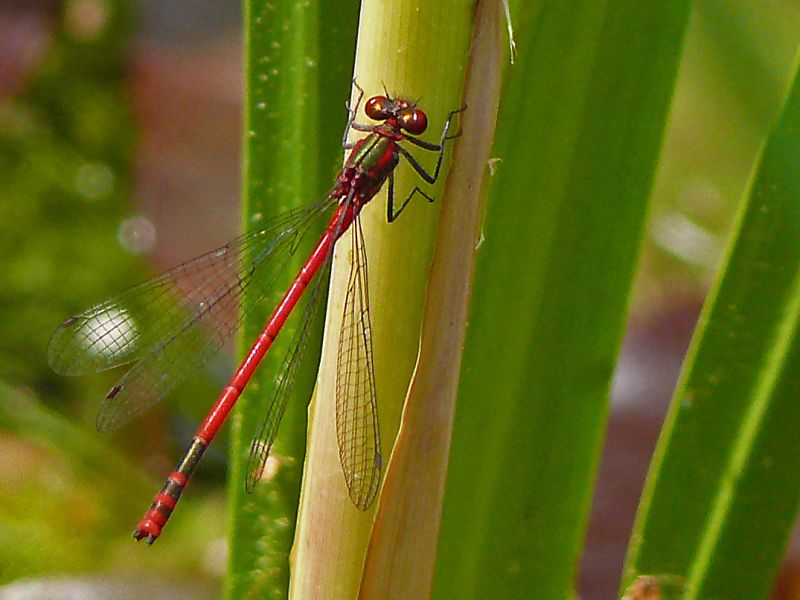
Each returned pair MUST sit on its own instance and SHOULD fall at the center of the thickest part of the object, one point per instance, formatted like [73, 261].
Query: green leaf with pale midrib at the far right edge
[722, 493]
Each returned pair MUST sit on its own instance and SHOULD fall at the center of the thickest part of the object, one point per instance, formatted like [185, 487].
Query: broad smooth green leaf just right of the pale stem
[579, 133]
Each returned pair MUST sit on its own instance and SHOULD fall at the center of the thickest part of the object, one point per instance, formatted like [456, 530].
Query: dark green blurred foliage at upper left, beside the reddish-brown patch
[65, 156]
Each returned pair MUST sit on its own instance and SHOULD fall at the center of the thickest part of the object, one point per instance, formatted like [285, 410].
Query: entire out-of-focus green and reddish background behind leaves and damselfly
[119, 146]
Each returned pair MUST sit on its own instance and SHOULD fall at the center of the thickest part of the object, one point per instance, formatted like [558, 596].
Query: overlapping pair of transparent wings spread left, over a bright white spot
[169, 326]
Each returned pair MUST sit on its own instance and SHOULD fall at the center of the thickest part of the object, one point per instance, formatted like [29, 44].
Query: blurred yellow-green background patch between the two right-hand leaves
[736, 63]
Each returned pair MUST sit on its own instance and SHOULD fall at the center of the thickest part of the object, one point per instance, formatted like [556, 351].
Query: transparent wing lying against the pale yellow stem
[356, 409]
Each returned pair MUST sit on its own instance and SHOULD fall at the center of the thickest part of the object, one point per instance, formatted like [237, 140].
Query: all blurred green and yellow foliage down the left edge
[67, 142]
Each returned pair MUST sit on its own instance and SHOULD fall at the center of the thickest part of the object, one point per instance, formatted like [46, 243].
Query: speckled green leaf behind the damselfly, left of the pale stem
[298, 65]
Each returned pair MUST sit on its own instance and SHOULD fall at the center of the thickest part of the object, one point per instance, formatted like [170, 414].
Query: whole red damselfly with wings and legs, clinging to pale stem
[169, 326]
